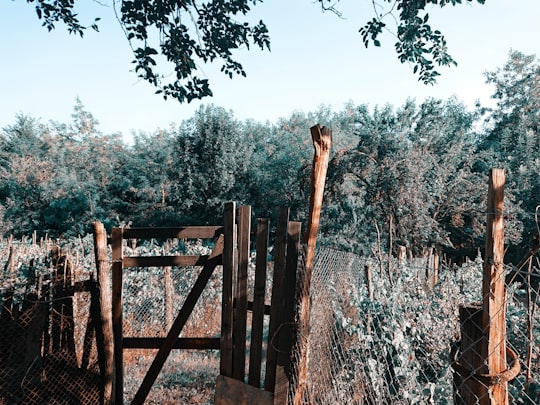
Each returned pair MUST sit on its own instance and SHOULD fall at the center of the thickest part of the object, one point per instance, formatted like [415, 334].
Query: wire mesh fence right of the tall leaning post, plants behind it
[391, 340]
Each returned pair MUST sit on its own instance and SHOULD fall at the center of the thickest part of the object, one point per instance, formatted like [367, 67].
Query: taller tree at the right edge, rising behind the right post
[512, 138]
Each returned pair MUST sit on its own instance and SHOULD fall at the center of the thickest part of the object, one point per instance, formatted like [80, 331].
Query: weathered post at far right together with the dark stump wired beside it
[483, 374]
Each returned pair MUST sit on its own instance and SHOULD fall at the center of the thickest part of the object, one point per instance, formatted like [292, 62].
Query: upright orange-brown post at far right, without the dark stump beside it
[493, 287]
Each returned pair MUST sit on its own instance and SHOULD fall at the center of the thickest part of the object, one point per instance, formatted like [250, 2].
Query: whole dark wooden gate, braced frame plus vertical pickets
[231, 250]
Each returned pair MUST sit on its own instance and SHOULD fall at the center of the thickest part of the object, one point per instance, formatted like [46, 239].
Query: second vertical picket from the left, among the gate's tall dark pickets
[240, 311]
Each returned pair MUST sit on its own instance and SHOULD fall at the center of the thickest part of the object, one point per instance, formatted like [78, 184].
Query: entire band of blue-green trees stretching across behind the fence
[415, 175]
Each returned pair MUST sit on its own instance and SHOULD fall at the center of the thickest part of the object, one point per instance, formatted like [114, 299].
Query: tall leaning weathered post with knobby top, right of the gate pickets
[322, 142]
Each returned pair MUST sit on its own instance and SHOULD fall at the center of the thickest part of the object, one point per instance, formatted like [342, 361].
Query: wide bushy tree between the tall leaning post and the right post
[411, 174]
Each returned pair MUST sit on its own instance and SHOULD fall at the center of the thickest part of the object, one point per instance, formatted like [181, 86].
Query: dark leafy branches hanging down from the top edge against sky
[191, 33]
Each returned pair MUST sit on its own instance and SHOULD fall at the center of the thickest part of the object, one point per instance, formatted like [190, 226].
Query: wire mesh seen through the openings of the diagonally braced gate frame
[152, 298]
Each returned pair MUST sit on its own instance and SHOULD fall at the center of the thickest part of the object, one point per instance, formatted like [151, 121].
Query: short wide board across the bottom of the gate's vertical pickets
[233, 392]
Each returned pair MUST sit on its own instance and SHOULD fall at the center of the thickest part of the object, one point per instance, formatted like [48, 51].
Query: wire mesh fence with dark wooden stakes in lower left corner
[47, 347]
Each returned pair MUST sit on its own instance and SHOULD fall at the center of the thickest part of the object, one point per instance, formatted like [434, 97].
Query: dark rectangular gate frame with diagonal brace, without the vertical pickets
[172, 340]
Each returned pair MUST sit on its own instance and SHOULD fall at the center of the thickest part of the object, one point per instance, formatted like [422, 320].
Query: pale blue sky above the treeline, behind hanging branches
[316, 59]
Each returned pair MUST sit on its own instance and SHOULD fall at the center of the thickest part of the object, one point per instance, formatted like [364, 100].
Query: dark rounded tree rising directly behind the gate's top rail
[211, 157]
